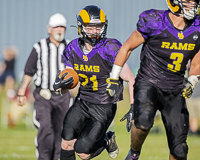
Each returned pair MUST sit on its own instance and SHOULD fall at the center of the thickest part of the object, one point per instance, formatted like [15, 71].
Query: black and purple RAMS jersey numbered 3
[166, 52]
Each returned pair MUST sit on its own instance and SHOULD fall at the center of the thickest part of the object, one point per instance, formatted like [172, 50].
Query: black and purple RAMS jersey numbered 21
[93, 69]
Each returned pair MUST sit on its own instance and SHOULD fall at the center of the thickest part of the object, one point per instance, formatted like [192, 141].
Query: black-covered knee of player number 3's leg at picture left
[144, 122]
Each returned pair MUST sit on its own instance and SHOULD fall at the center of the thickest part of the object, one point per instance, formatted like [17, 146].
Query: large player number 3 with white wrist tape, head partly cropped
[170, 38]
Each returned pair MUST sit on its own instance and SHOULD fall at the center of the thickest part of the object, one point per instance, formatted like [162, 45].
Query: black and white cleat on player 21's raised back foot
[112, 147]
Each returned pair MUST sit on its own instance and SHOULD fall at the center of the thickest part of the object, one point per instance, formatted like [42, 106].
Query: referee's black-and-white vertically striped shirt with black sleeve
[44, 62]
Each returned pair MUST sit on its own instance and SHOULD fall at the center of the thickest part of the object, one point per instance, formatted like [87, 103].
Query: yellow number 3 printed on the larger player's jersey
[177, 60]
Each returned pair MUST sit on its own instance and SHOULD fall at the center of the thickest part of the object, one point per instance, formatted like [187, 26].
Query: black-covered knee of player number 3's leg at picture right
[180, 151]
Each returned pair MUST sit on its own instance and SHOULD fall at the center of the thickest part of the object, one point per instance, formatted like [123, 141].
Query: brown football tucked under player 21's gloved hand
[71, 73]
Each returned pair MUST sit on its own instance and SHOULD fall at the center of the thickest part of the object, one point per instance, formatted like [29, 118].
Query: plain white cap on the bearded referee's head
[57, 20]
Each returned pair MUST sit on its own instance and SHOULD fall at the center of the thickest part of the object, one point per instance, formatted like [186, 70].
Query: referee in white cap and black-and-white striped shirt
[49, 107]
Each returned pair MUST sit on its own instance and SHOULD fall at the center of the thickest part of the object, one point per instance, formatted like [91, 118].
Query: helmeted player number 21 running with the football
[92, 57]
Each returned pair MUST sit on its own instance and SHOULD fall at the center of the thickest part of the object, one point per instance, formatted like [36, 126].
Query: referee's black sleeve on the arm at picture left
[31, 64]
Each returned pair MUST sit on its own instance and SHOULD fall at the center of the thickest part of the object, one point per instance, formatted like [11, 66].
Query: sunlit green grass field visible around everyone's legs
[18, 143]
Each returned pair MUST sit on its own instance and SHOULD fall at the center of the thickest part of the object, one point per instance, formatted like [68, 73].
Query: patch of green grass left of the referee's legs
[17, 144]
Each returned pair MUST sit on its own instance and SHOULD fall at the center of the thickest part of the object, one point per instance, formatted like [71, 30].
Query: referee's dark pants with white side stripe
[48, 118]
